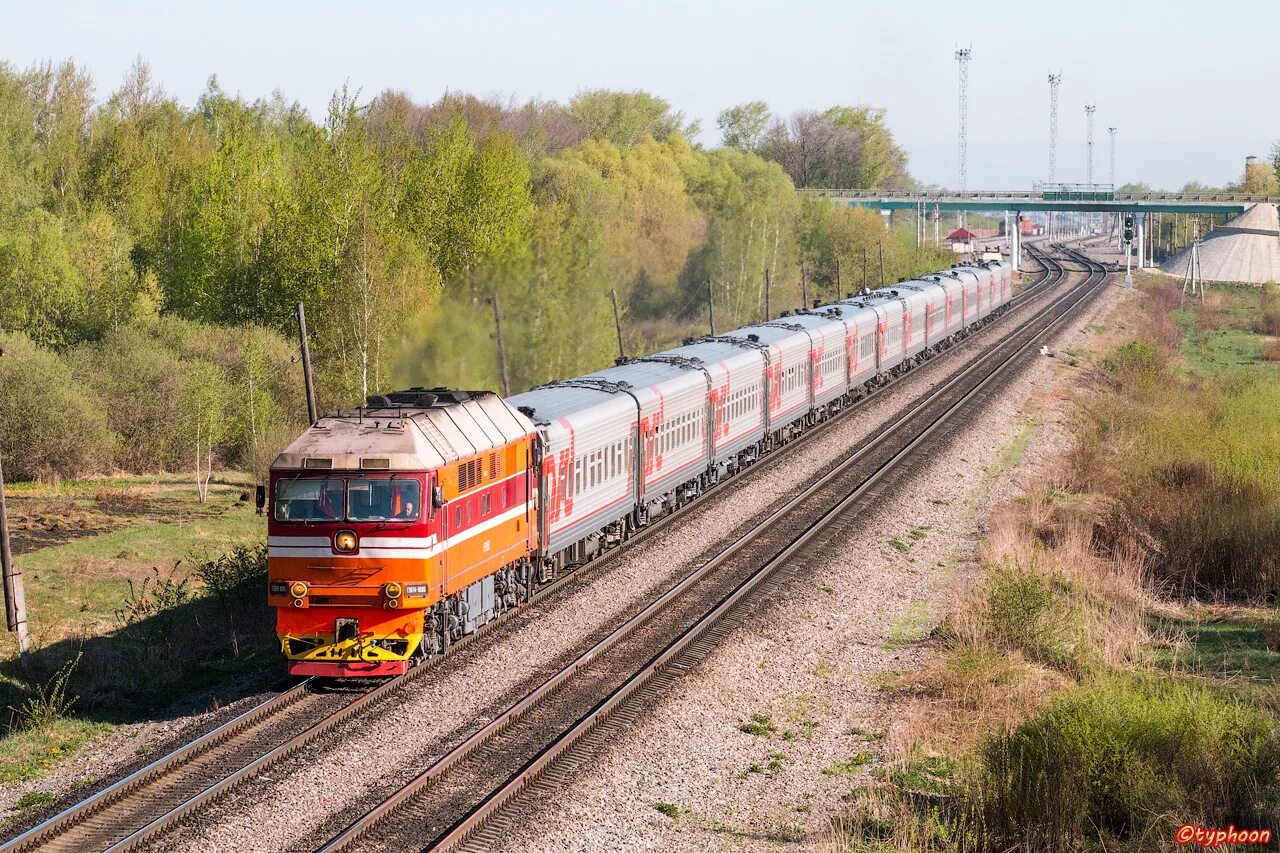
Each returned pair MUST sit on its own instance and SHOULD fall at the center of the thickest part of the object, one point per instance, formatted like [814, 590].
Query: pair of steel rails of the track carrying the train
[49, 831]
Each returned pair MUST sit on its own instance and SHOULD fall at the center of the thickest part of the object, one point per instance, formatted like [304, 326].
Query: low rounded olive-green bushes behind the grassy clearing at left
[135, 400]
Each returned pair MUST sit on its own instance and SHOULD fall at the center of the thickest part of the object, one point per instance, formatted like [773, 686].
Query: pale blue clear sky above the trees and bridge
[1191, 86]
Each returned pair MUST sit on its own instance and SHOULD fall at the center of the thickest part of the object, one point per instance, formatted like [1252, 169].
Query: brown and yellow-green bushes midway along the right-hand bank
[1192, 467]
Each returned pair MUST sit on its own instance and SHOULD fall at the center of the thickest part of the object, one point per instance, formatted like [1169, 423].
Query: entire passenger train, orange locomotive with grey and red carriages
[400, 527]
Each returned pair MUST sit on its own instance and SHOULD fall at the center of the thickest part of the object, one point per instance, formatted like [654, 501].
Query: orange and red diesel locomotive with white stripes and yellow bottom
[400, 527]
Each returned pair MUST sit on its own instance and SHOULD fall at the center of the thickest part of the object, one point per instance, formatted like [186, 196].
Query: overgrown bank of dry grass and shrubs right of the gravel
[1084, 696]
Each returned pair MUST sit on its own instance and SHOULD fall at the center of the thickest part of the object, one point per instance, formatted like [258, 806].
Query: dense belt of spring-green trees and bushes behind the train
[145, 241]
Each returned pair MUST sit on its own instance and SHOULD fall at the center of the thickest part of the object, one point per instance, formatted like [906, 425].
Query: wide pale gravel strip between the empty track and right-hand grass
[760, 745]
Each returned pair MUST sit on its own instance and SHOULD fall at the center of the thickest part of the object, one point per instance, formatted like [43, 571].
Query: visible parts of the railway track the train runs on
[147, 804]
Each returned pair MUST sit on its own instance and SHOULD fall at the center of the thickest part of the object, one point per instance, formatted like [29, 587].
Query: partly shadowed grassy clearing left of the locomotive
[118, 638]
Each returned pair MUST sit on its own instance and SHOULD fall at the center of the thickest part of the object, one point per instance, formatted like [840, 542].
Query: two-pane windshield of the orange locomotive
[351, 500]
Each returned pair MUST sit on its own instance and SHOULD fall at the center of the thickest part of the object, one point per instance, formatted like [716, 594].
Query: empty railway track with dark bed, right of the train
[463, 801]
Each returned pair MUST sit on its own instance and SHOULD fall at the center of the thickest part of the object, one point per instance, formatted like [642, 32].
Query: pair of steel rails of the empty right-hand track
[497, 799]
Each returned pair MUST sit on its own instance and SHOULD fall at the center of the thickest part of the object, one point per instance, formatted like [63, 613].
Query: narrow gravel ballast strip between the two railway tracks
[309, 799]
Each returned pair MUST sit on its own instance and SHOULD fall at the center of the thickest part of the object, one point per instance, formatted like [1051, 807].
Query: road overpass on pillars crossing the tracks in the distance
[1057, 198]
